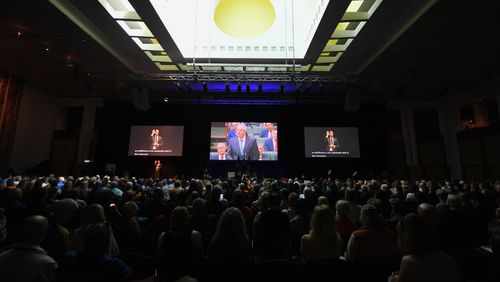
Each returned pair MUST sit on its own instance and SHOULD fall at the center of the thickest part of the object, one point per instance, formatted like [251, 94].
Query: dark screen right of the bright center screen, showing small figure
[331, 142]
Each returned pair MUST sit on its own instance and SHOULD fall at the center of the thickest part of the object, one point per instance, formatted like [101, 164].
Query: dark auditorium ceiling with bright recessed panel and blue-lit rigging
[319, 49]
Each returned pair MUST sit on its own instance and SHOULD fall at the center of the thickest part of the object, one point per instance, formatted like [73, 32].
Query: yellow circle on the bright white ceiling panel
[244, 19]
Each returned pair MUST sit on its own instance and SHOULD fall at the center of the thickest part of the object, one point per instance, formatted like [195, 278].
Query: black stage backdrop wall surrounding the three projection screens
[114, 120]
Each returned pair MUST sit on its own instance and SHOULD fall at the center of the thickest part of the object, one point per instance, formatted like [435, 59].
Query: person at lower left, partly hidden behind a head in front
[92, 214]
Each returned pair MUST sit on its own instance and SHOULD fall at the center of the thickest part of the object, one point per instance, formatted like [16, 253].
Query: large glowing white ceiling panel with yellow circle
[241, 29]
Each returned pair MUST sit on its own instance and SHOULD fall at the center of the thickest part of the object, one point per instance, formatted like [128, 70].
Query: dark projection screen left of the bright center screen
[156, 140]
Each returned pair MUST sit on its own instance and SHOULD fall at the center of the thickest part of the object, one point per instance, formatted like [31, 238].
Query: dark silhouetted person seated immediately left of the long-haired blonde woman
[272, 231]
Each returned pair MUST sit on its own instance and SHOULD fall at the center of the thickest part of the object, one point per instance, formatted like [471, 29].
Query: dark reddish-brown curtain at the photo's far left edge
[11, 90]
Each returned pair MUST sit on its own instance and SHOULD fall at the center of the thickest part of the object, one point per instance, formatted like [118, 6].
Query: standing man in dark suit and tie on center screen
[243, 147]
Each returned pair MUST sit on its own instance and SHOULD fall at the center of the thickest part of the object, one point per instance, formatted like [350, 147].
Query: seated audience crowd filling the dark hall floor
[123, 229]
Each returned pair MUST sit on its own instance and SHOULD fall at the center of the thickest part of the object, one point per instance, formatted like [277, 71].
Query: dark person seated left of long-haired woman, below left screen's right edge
[180, 248]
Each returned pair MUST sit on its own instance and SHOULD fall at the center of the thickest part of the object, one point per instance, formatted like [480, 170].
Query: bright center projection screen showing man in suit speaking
[253, 141]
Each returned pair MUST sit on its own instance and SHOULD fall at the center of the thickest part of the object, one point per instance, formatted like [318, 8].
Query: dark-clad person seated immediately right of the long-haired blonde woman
[372, 243]
